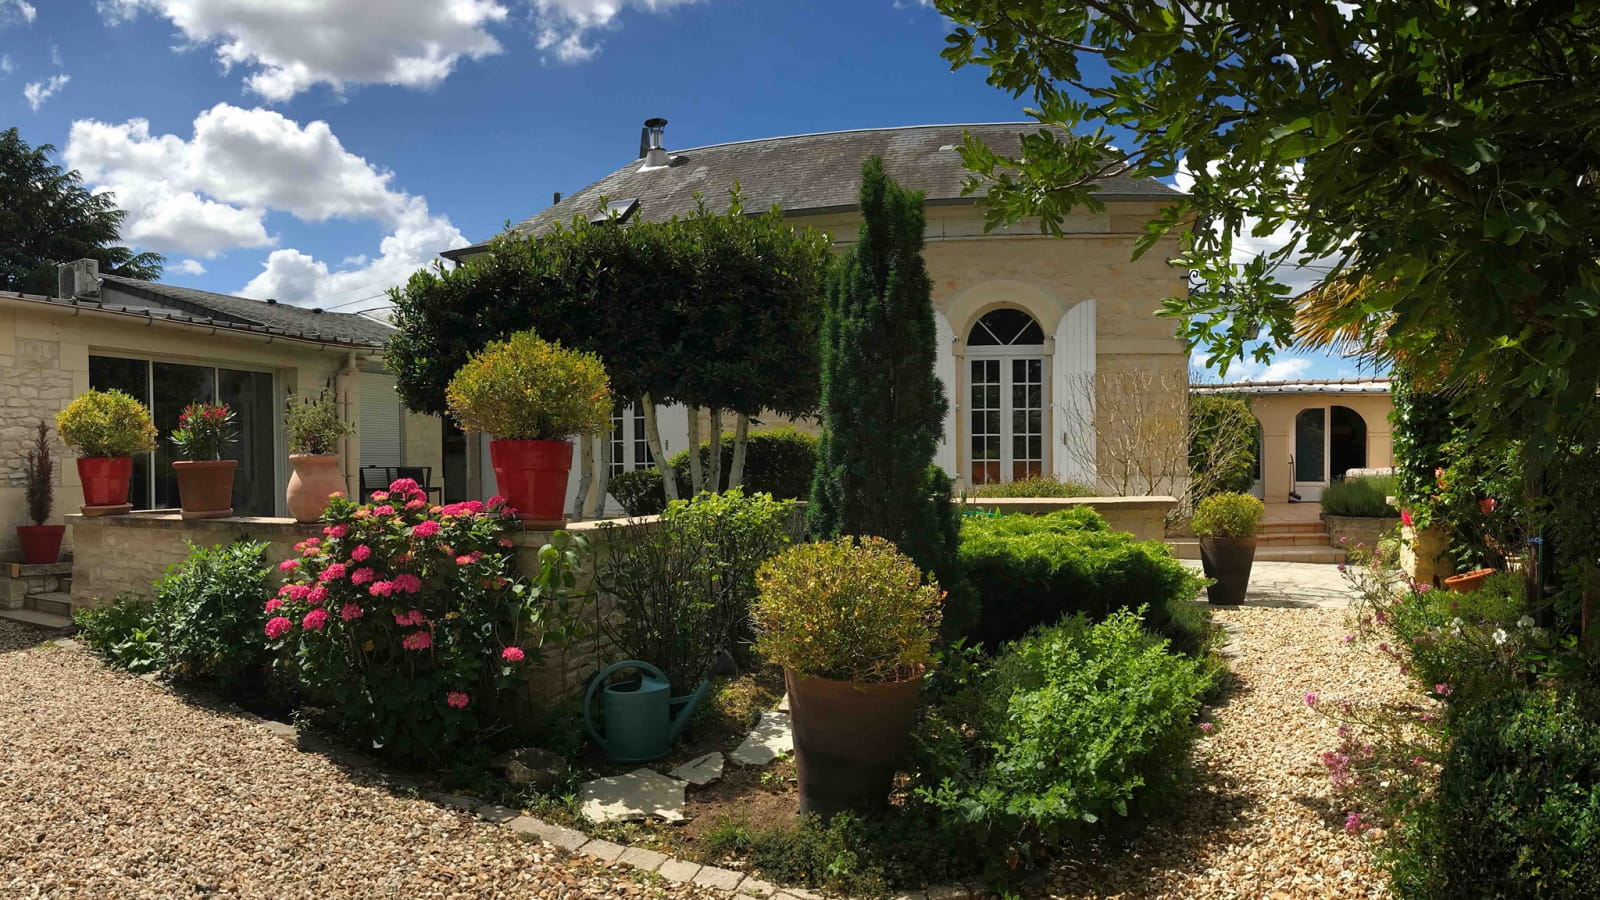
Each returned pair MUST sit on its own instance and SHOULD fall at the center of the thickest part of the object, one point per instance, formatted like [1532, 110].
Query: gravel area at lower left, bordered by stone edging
[116, 789]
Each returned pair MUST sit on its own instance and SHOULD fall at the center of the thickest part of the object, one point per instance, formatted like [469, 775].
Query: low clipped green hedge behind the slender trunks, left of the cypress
[777, 462]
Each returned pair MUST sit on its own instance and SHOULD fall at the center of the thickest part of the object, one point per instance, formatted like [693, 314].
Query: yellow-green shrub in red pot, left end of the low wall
[106, 428]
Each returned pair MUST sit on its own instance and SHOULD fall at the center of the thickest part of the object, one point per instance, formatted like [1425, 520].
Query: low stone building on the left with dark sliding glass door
[170, 347]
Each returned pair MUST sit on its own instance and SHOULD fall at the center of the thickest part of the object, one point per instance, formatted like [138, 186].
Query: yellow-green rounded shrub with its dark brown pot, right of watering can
[852, 625]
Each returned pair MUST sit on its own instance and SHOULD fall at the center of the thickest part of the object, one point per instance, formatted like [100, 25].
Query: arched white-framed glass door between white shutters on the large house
[1007, 398]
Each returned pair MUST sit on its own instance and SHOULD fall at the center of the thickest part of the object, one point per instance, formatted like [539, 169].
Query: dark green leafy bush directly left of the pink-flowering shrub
[210, 613]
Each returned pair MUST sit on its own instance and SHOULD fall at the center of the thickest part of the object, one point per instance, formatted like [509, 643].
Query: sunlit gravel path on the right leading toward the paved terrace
[1263, 822]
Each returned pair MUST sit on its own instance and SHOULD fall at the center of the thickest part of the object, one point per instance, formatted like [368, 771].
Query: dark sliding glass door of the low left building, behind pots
[167, 388]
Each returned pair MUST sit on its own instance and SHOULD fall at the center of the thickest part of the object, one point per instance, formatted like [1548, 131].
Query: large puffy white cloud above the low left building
[214, 193]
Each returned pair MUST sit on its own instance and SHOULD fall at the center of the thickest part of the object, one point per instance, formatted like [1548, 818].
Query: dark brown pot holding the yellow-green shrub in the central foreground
[847, 741]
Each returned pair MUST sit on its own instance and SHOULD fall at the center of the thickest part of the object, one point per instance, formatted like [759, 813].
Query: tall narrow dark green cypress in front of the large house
[882, 406]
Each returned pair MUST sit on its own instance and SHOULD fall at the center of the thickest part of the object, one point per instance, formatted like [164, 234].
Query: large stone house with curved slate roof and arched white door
[1030, 326]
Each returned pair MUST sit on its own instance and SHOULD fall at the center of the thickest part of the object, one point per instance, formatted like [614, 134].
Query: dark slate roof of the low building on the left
[254, 315]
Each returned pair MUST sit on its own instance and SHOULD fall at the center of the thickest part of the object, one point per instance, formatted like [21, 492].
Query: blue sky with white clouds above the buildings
[321, 156]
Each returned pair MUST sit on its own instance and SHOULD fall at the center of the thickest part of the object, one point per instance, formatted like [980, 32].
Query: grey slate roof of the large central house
[806, 174]
